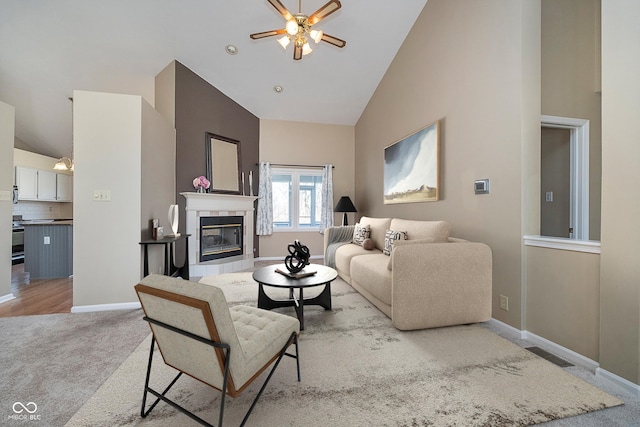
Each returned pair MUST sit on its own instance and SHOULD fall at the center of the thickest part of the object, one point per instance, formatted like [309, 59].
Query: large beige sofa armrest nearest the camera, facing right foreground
[441, 284]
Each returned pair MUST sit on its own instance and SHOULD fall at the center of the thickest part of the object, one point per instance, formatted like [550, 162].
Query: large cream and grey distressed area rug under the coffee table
[358, 370]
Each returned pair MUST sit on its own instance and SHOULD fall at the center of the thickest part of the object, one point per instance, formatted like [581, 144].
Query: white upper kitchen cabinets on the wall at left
[43, 185]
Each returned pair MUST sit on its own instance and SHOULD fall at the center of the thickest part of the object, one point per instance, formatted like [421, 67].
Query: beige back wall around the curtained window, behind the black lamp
[308, 144]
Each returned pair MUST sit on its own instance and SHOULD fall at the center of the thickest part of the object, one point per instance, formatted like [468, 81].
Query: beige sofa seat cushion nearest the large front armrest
[370, 272]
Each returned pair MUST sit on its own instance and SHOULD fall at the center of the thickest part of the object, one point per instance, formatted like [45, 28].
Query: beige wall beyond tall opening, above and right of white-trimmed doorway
[571, 79]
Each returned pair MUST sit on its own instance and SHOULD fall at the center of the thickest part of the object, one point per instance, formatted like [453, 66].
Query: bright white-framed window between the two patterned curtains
[297, 199]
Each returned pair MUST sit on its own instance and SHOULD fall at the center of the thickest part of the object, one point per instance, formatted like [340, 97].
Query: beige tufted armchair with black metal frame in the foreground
[198, 334]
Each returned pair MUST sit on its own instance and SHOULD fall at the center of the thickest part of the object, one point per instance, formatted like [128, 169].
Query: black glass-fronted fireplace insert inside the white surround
[220, 237]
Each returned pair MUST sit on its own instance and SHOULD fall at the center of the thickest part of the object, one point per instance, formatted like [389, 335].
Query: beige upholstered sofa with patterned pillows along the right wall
[427, 281]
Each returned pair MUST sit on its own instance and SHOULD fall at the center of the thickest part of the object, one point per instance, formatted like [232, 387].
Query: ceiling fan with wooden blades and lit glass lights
[298, 28]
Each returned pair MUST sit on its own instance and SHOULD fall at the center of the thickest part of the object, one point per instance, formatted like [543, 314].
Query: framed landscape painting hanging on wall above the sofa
[412, 167]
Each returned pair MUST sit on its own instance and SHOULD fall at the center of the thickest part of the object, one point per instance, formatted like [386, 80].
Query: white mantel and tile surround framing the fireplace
[211, 204]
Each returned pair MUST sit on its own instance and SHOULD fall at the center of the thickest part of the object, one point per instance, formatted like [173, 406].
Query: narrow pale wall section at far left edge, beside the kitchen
[7, 126]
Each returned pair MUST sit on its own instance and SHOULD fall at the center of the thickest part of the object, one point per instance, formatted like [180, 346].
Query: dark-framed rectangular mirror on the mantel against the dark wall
[223, 164]
